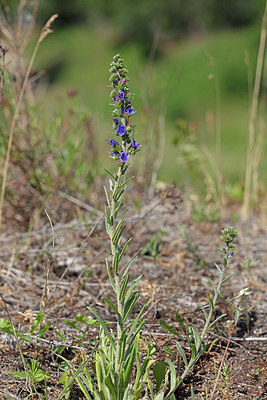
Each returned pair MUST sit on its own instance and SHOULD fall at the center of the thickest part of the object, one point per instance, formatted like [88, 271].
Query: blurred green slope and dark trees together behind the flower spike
[192, 66]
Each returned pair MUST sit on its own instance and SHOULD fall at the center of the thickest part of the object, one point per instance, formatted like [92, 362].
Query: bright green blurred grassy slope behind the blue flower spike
[178, 79]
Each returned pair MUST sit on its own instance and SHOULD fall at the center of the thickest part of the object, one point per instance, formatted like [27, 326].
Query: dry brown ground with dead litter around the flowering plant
[62, 271]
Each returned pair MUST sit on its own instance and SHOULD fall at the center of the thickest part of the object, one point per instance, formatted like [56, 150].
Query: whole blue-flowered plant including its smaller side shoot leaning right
[119, 370]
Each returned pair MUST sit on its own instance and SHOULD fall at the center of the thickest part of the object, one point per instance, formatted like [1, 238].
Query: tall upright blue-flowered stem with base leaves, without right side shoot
[118, 372]
